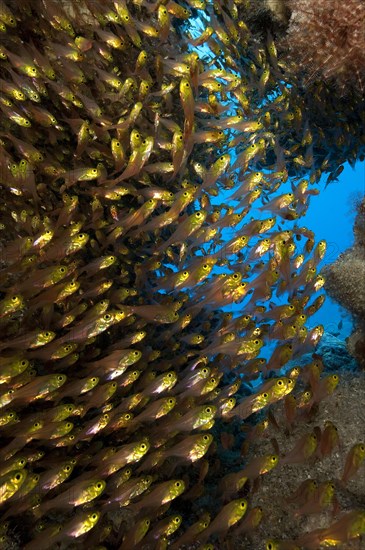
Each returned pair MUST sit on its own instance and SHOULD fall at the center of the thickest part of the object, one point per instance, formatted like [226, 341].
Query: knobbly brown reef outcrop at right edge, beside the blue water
[345, 283]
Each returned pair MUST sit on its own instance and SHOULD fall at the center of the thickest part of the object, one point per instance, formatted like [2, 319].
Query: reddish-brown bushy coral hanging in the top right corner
[327, 39]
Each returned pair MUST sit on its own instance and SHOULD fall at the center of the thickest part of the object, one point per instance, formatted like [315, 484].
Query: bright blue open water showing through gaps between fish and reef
[330, 216]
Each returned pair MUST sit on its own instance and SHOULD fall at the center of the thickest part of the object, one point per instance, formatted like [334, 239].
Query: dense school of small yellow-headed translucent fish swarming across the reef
[155, 281]
